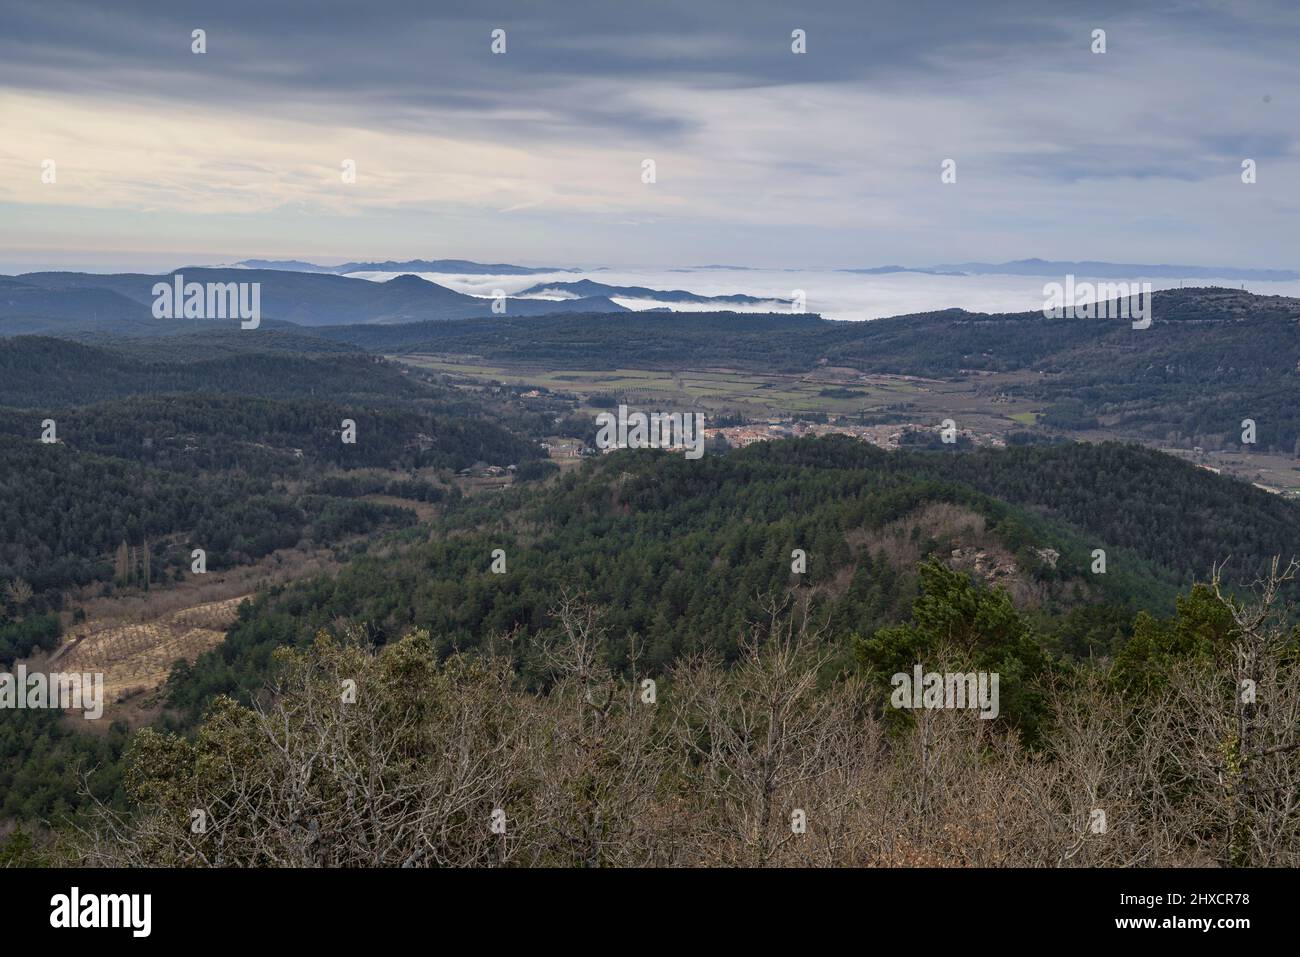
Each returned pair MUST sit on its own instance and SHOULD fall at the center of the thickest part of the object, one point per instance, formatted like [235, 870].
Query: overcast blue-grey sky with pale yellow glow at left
[762, 157]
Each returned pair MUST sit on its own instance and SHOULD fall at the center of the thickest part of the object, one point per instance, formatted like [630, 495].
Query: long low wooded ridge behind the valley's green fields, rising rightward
[934, 344]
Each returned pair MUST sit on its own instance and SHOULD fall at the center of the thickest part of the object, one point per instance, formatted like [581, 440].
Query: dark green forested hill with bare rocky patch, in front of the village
[682, 552]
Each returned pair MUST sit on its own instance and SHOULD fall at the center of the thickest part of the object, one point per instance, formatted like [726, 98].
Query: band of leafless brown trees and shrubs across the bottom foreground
[392, 757]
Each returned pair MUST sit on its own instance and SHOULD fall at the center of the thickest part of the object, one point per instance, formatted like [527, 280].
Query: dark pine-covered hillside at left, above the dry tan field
[219, 445]
